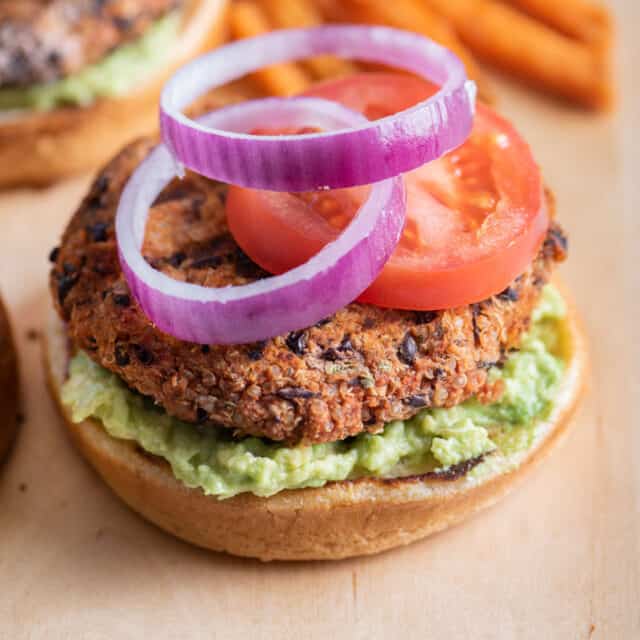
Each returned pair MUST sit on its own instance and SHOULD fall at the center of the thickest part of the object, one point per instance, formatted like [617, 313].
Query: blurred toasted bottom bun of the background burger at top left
[39, 148]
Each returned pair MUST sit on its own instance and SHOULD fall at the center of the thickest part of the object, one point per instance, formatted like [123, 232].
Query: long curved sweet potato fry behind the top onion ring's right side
[415, 15]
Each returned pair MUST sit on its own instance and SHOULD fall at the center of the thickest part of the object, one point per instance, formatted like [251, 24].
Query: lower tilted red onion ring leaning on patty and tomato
[334, 277]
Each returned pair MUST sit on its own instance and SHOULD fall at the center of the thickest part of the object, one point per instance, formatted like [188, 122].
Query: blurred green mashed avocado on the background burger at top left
[115, 75]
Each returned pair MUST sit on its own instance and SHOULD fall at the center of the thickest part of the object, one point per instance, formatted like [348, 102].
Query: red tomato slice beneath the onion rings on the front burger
[475, 218]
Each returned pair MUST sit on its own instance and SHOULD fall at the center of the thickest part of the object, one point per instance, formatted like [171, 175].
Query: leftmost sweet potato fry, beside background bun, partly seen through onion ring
[247, 19]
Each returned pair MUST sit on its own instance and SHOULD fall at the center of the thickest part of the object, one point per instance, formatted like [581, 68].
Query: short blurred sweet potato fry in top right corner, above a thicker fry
[580, 19]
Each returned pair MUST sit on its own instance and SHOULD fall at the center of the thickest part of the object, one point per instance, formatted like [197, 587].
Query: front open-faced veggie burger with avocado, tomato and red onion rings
[423, 399]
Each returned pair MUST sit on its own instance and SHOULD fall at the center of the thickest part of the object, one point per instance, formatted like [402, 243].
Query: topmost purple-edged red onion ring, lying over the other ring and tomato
[364, 154]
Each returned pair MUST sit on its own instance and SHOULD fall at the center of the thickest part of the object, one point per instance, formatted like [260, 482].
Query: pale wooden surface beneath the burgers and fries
[558, 559]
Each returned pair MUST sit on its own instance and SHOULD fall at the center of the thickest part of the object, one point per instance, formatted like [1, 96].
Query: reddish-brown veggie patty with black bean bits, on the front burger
[350, 373]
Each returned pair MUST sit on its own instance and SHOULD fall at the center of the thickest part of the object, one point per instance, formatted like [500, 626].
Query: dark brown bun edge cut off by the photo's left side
[8, 386]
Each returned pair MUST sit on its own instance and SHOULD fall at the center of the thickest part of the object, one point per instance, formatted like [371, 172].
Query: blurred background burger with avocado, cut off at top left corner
[80, 78]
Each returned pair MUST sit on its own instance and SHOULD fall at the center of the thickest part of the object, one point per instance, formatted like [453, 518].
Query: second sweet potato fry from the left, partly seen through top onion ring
[303, 13]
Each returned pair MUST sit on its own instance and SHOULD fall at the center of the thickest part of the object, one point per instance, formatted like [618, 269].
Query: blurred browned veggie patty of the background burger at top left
[44, 40]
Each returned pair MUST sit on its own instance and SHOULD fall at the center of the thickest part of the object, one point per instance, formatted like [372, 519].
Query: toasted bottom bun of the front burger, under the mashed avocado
[339, 520]
